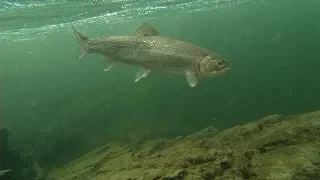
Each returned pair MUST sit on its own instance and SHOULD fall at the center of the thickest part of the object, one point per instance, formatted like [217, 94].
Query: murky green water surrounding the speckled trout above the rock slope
[55, 110]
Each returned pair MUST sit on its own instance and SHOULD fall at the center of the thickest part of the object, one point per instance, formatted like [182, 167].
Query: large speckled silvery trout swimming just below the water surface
[150, 51]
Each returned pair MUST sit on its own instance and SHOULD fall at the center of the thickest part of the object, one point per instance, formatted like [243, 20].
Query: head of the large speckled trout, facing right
[213, 65]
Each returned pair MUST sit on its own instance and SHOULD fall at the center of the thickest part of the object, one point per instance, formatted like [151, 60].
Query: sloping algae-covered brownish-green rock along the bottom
[274, 148]
